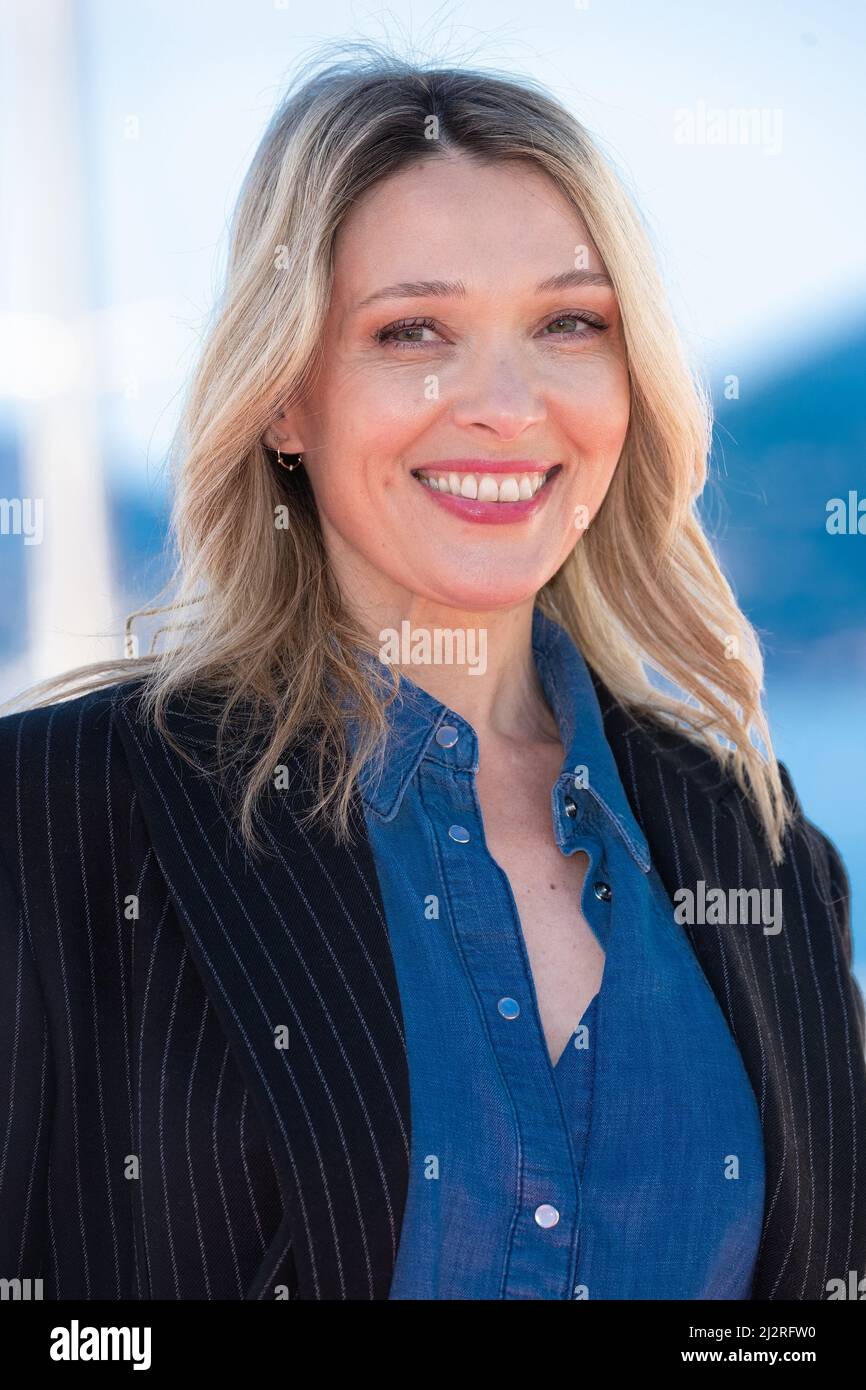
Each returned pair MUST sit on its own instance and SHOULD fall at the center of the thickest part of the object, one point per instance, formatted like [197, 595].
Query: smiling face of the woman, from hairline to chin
[479, 376]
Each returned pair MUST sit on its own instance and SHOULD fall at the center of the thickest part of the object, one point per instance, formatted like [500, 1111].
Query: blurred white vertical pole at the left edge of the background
[72, 618]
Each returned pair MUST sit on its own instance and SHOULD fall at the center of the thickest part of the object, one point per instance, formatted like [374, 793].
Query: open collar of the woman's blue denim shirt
[422, 728]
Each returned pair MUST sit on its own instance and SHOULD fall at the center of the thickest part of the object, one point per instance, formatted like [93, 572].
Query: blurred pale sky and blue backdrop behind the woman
[126, 133]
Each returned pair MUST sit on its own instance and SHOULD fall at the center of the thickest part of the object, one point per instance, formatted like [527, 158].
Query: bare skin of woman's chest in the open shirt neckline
[565, 956]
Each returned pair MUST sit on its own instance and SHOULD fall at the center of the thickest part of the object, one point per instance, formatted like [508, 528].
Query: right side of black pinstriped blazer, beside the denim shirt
[789, 999]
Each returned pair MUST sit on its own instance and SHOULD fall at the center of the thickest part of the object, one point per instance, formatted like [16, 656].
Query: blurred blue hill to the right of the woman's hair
[781, 454]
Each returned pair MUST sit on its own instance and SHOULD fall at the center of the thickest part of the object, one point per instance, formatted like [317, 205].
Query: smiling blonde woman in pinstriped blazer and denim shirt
[390, 933]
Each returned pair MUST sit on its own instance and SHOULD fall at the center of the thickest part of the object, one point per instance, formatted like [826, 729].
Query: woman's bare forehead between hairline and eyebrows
[458, 218]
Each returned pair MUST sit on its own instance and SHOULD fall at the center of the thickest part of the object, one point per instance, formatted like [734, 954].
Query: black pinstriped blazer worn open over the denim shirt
[158, 1143]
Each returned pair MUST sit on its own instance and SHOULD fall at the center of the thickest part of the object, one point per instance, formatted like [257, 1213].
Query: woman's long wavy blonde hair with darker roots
[258, 625]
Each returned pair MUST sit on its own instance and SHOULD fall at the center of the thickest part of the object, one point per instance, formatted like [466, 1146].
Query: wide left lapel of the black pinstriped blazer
[294, 954]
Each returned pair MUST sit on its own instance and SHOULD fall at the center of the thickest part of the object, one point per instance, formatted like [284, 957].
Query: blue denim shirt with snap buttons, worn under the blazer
[635, 1167]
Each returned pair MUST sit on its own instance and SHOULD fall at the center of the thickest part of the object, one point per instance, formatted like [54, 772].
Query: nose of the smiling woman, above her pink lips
[500, 394]
